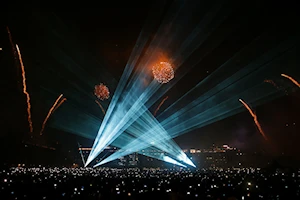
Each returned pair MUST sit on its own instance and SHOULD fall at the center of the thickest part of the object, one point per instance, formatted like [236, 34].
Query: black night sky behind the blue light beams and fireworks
[71, 48]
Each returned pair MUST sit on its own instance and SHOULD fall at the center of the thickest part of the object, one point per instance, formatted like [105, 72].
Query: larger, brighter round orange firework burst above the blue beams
[163, 72]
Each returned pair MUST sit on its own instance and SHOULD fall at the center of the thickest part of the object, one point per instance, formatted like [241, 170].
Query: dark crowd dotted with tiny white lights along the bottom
[109, 183]
